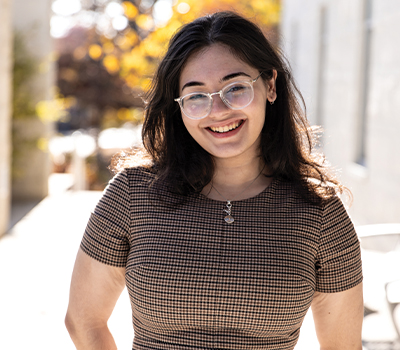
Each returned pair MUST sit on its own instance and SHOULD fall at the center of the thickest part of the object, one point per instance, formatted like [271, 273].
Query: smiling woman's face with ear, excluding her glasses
[225, 133]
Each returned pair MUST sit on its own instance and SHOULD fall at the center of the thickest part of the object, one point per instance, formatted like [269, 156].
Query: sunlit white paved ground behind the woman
[36, 262]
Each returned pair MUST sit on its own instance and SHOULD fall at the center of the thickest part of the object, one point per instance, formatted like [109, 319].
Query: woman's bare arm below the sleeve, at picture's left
[95, 289]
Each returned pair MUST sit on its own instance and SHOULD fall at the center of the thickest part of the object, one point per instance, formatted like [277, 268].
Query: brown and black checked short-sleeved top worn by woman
[196, 282]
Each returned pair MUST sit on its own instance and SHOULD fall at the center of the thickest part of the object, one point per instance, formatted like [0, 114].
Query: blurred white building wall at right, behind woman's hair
[346, 60]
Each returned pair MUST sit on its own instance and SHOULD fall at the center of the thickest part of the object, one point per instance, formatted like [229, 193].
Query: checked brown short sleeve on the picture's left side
[106, 237]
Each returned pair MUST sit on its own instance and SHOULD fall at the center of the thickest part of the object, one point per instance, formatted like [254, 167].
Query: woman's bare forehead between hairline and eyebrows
[212, 63]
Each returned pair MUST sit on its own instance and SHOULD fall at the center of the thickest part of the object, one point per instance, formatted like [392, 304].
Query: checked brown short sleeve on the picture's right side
[338, 264]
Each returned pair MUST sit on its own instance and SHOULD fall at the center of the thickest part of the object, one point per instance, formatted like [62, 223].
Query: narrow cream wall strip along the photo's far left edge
[5, 112]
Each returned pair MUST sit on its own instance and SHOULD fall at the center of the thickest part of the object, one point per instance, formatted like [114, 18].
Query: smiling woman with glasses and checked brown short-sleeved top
[235, 229]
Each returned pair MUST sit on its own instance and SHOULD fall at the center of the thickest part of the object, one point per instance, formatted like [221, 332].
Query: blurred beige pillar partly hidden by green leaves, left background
[32, 20]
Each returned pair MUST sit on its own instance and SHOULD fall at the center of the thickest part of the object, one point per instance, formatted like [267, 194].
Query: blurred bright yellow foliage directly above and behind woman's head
[136, 58]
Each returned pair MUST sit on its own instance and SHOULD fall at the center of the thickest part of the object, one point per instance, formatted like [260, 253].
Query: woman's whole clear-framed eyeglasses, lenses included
[236, 95]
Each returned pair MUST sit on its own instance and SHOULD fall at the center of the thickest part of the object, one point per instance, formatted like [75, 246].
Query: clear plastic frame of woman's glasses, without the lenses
[221, 94]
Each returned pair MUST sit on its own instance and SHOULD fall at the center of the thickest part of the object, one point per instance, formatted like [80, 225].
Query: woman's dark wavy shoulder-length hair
[287, 143]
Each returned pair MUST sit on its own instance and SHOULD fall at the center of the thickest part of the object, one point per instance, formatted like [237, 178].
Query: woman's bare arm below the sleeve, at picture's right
[338, 319]
